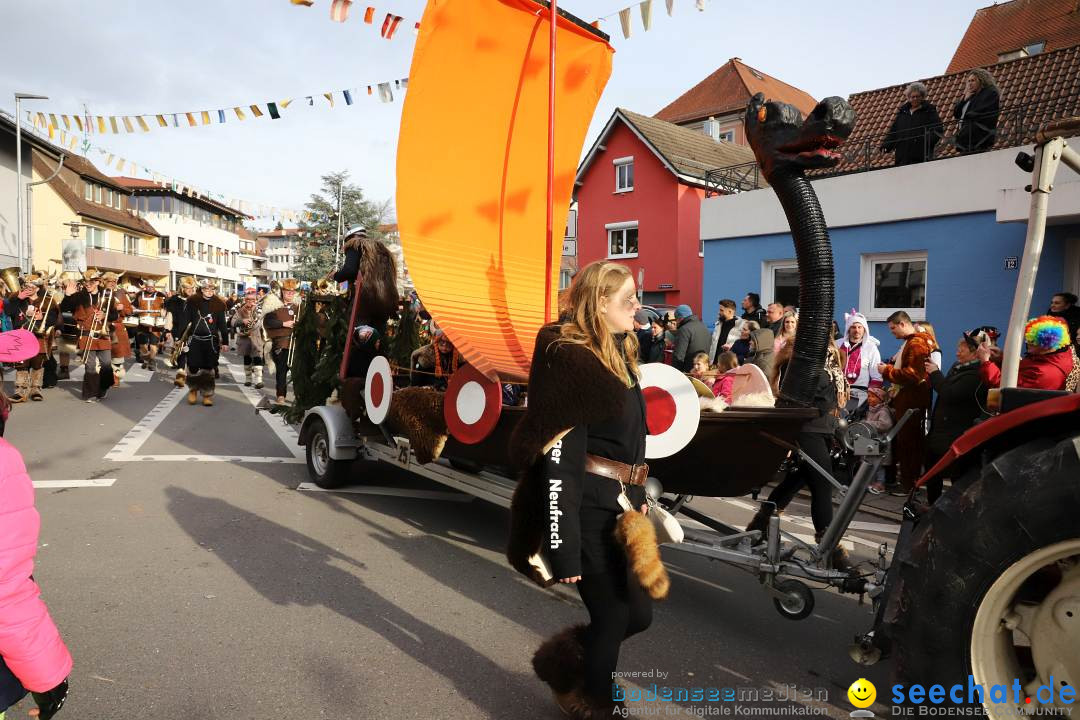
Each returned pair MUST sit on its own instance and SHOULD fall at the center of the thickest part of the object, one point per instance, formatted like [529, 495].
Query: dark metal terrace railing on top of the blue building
[1016, 128]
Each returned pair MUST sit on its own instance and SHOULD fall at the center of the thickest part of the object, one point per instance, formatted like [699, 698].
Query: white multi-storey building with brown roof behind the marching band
[198, 235]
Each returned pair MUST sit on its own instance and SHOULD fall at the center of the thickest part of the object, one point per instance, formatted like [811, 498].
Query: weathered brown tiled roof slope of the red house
[691, 153]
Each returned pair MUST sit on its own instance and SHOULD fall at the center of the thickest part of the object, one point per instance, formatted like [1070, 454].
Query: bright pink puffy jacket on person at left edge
[30, 643]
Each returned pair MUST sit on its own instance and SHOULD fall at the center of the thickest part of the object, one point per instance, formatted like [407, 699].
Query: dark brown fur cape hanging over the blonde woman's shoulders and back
[569, 387]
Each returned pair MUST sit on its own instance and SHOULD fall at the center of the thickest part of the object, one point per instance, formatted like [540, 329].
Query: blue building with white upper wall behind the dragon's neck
[941, 240]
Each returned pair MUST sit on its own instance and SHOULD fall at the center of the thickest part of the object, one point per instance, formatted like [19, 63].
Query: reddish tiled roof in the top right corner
[1009, 26]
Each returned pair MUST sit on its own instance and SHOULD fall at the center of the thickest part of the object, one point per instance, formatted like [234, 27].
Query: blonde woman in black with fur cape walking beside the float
[577, 506]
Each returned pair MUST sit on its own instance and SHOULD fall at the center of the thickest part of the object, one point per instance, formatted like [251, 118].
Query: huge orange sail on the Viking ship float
[472, 165]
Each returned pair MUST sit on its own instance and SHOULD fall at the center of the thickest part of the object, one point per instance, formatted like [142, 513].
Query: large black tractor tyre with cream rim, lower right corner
[990, 585]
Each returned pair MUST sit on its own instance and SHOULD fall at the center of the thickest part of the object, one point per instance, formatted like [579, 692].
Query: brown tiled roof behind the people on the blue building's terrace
[1034, 90]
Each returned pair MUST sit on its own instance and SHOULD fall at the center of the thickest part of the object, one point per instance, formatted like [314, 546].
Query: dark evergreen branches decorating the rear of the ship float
[318, 359]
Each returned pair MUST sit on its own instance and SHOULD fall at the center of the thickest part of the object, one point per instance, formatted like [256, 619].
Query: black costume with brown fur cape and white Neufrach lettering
[571, 517]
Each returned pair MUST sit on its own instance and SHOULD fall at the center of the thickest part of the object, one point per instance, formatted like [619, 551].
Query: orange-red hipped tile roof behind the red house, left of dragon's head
[728, 90]
